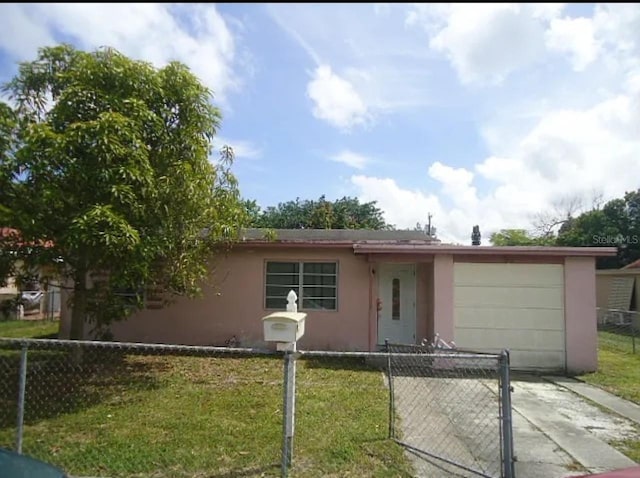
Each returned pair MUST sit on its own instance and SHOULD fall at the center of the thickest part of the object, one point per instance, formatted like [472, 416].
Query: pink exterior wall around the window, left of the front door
[236, 305]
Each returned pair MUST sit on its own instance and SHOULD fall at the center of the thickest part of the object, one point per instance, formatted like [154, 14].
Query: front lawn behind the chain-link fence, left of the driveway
[119, 414]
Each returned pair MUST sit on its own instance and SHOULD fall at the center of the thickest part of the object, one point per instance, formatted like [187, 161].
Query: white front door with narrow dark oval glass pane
[397, 315]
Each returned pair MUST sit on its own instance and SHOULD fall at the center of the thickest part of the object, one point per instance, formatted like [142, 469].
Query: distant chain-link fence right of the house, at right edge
[619, 330]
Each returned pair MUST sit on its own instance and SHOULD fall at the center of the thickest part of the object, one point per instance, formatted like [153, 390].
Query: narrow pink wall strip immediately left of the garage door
[443, 296]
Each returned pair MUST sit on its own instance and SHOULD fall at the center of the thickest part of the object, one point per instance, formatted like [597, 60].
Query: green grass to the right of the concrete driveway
[619, 373]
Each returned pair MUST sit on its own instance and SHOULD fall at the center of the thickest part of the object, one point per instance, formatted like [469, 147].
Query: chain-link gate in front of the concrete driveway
[451, 410]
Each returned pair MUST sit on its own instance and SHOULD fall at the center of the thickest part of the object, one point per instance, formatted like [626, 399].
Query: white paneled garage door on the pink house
[514, 306]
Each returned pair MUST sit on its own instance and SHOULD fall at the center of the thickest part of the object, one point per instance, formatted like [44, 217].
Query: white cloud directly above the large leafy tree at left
[195, 34]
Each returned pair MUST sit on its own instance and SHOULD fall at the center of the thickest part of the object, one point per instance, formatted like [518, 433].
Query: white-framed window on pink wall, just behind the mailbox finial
[316, 284]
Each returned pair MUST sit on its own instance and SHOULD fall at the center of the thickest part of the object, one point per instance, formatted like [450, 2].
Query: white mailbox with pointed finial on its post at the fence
[285, 328]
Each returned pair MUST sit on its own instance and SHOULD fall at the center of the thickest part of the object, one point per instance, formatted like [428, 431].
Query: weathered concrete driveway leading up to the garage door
[557, 433]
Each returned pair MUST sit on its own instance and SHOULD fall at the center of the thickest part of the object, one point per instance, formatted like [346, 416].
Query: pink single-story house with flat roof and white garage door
[362, 287]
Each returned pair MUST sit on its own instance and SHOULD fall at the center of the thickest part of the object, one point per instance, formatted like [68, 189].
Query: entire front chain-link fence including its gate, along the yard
[153, 410]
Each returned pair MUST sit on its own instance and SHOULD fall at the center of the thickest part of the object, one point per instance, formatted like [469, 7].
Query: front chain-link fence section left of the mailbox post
[115, 410]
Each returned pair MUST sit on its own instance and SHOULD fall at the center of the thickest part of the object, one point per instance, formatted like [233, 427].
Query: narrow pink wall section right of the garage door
[580, 314]
